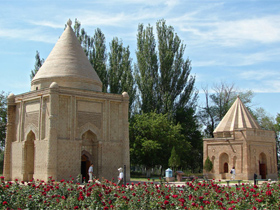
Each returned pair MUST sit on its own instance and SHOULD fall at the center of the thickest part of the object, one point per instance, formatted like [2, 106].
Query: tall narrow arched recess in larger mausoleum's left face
[28, 153]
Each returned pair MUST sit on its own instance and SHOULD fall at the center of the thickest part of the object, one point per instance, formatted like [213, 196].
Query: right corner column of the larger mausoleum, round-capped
[126, 155]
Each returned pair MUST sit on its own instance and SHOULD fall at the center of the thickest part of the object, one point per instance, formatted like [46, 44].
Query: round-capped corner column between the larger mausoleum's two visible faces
[52, 131]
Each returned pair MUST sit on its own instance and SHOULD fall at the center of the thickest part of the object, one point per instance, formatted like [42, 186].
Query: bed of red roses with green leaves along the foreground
[106, 195]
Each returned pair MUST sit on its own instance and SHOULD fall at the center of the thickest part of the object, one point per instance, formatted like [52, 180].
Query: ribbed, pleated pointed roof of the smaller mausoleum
[237, 117]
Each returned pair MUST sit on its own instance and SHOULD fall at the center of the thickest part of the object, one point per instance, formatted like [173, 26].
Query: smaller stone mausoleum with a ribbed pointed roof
[239, 141]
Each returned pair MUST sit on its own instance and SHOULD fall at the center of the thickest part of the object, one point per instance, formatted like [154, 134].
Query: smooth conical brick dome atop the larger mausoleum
[67, 65]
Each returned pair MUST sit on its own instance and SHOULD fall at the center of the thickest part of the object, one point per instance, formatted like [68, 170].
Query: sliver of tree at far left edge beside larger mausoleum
[3, 118]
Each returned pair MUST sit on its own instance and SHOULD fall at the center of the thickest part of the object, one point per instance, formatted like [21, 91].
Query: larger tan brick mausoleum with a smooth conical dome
[65, 122]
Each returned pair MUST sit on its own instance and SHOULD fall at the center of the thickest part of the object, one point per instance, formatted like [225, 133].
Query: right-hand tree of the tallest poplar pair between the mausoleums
[175, 82]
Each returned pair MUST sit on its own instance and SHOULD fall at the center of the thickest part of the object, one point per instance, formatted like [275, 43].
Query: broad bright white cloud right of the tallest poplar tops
[215, 29]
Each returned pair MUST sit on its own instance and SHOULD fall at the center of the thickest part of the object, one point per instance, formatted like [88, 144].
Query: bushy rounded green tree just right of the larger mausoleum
[152, 136]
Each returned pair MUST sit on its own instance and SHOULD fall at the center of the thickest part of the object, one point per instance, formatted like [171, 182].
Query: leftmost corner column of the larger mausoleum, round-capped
[10, 135]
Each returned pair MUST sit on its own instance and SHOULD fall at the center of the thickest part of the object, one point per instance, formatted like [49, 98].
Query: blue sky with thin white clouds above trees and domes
[232, 41]
